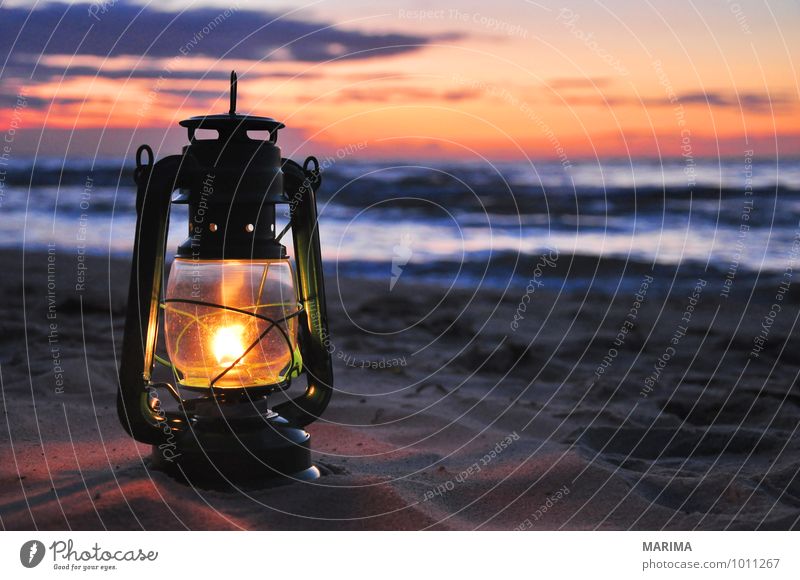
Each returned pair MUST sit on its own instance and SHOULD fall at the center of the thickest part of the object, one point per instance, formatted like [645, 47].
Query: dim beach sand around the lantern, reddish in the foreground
[473, 423]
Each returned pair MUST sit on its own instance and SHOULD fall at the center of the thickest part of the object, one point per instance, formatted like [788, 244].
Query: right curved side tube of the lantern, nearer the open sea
[300, 185]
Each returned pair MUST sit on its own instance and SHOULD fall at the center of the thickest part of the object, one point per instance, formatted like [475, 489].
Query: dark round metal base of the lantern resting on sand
[237, 452]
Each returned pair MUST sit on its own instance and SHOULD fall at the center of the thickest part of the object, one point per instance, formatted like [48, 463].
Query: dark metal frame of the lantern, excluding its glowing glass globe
[231, 435]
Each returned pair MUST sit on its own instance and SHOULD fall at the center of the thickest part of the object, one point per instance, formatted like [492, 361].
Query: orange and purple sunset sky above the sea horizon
[510, 79]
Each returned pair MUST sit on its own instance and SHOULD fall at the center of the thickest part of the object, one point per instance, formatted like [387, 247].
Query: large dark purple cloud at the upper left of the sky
[209, 32]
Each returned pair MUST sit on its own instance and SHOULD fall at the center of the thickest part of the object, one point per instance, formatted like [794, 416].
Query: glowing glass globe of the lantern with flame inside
[232, 323]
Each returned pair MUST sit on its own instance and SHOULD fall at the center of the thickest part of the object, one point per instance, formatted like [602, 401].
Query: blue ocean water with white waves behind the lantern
[459, 223]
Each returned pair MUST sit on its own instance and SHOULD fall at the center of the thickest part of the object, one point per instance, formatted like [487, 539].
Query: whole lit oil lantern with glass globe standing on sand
[239, 322]
